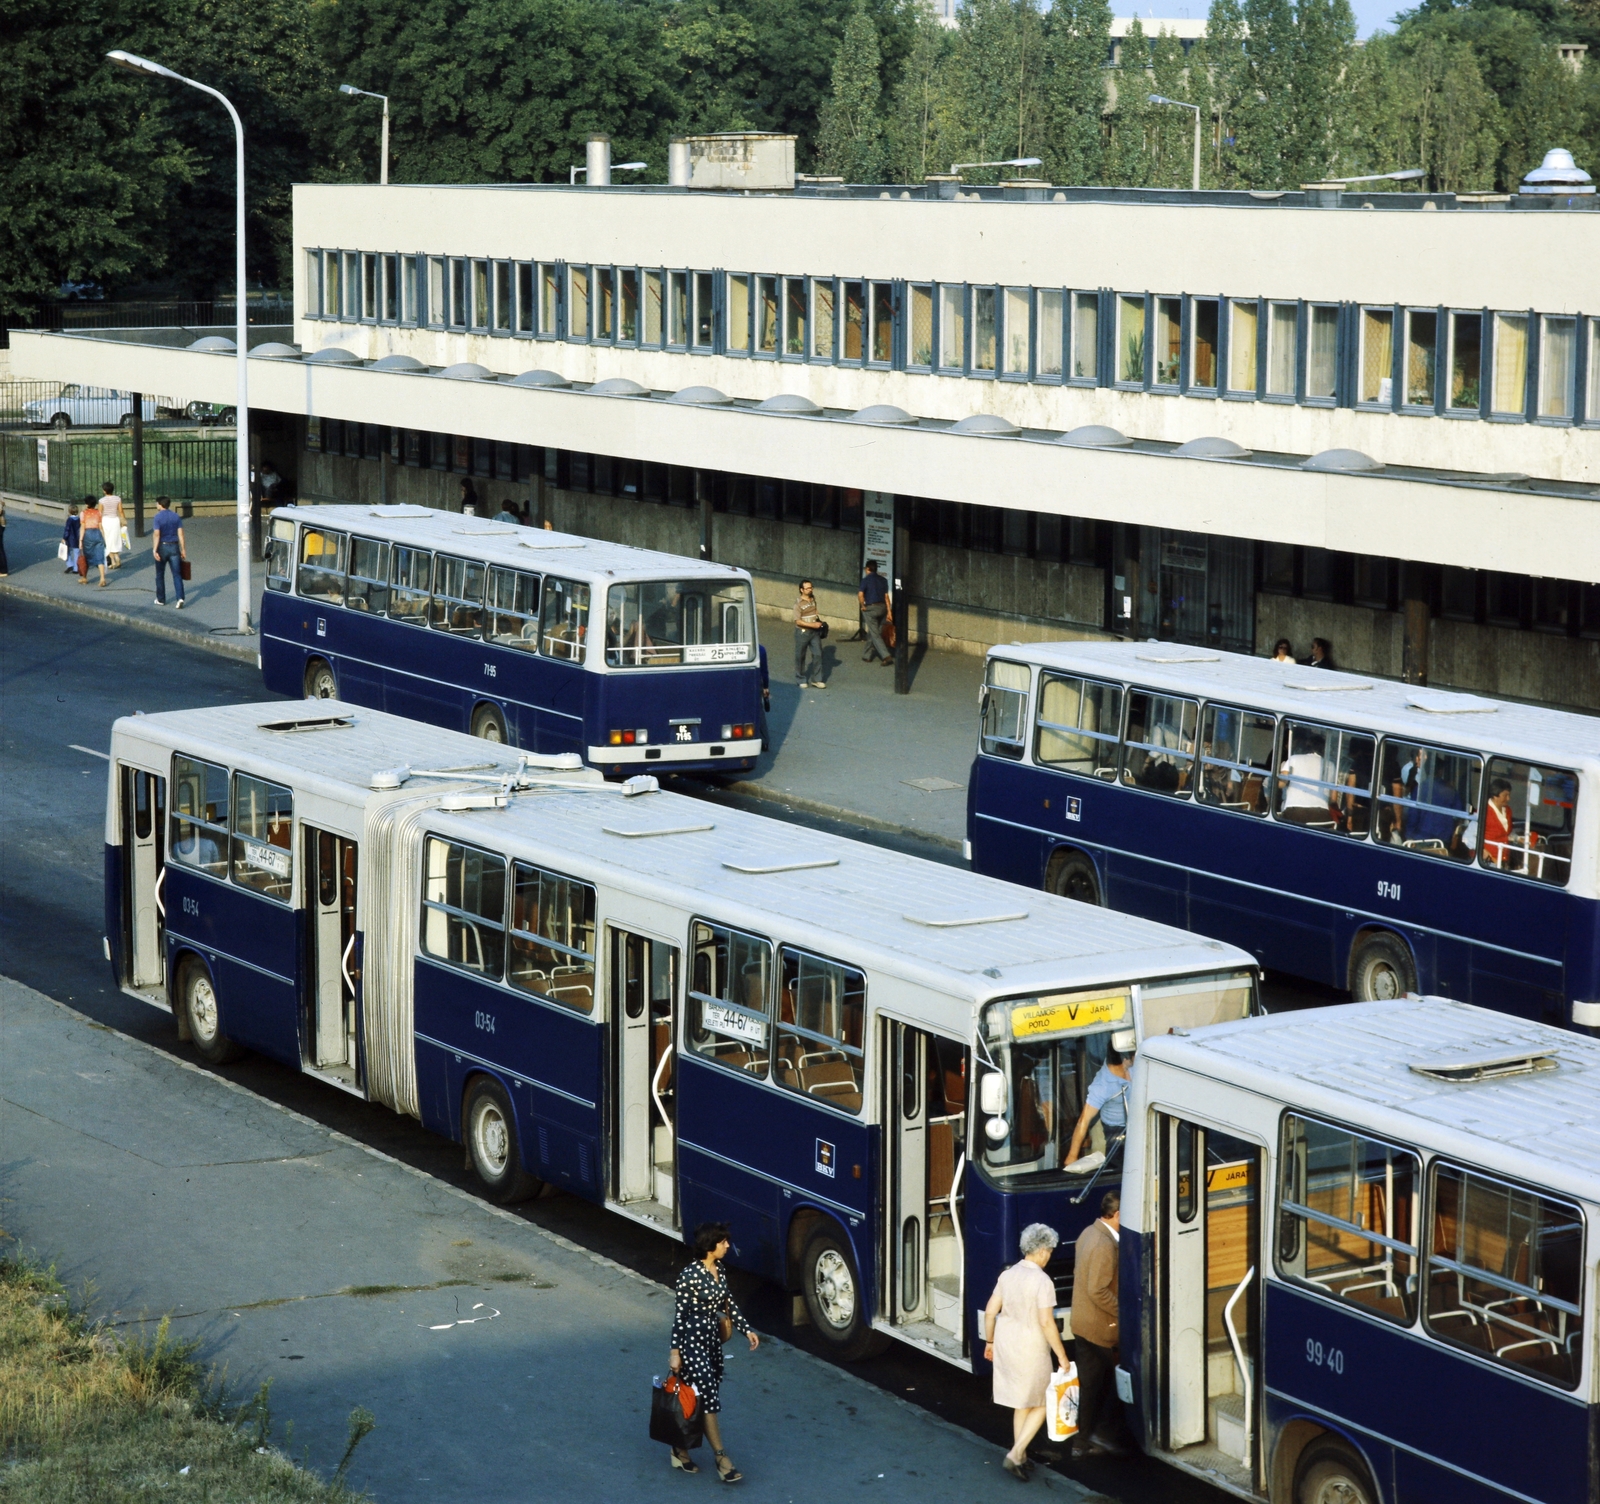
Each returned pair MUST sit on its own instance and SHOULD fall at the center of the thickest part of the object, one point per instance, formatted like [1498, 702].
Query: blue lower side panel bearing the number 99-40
[1406, 1401]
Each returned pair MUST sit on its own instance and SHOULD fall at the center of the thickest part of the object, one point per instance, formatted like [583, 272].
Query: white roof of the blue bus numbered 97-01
[1530, 734]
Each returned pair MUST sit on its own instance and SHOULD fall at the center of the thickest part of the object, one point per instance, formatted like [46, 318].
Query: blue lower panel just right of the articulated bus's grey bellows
[548, 1058]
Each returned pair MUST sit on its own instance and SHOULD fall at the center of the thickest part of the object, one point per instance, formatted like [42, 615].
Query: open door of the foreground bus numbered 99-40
[1210, 1207]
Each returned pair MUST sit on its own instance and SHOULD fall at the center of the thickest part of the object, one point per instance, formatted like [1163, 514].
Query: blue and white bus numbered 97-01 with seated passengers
[1361, 833]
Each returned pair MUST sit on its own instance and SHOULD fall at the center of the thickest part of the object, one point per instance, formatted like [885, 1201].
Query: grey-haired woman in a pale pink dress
[1020, 1337]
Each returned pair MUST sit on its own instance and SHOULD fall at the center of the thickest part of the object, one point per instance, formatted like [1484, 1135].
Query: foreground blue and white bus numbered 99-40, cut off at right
[1356, 1257]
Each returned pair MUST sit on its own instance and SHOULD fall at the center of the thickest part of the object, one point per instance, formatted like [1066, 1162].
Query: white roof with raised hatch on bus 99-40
[1382, 1068]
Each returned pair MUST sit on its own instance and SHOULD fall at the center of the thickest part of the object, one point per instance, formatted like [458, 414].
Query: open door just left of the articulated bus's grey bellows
[334, 1004]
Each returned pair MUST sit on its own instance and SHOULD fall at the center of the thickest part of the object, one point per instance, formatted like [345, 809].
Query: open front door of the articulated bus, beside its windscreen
[926, 1145]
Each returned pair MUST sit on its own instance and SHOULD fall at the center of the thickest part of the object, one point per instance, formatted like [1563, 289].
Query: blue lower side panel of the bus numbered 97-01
[1478, 937]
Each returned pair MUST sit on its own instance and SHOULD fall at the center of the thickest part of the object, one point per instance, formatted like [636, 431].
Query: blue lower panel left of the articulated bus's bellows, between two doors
[247, 942]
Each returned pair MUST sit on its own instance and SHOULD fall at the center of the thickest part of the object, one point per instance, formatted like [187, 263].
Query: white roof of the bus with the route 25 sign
[511, 545]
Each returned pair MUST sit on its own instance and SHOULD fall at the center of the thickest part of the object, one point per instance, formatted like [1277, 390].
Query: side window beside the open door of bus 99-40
[1348, 1217]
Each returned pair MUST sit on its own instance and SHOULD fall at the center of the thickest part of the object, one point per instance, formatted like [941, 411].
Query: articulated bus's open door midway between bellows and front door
[644, 1108]
